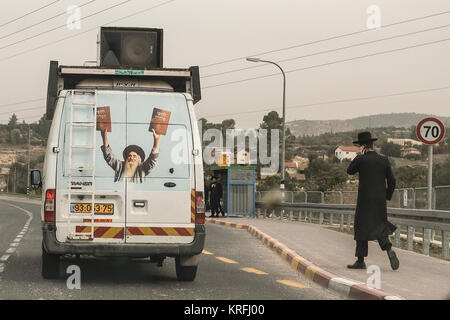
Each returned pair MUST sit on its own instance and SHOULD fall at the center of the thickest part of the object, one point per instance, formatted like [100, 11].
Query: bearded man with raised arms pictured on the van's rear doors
[133, 168]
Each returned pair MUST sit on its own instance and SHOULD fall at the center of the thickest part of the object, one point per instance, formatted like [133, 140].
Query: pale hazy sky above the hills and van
[325, 79]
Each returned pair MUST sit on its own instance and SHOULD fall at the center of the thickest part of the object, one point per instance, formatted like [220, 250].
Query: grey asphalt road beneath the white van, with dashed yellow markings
[234, 265]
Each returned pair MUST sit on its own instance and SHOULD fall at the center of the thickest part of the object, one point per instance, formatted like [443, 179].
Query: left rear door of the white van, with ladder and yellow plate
[109, 220]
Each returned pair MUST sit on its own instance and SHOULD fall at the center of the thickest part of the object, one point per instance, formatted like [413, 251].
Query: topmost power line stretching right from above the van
[327, 39]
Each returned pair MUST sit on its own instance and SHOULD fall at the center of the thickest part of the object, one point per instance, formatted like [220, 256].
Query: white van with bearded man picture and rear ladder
[123, 171]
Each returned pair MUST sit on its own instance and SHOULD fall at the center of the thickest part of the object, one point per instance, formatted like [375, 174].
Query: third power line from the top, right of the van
[329, 63]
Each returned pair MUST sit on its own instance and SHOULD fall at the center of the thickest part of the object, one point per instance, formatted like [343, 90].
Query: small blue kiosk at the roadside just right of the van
[239, 187]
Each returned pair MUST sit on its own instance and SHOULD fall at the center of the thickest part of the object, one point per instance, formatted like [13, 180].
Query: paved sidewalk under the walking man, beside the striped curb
[419, 277]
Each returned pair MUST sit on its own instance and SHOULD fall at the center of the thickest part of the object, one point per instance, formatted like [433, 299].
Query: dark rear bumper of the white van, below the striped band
[53, 246]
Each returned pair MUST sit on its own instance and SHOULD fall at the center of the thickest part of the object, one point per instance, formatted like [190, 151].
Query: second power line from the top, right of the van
[329, 51]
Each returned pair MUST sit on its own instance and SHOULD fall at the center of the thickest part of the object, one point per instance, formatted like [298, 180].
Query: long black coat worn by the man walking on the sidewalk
[371, 213]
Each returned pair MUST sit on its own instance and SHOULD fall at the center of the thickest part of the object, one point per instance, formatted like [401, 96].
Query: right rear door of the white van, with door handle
[159, 203]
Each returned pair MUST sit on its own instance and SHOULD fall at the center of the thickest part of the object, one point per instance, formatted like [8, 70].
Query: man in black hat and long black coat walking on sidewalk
[371, 213]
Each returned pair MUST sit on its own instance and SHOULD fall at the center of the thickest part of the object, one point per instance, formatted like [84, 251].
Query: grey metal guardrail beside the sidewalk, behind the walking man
[430, 221]
